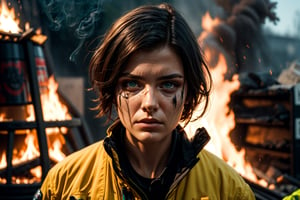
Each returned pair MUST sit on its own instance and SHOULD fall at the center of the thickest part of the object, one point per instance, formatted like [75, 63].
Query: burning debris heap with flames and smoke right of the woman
[252, 134]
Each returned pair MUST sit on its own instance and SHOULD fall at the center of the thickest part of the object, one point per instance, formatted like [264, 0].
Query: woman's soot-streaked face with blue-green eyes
[151, 93]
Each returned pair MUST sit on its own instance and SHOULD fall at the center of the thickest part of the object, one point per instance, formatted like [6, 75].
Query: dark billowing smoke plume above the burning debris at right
[239, 35]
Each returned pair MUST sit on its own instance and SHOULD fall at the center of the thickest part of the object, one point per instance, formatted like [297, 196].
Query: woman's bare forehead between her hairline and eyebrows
[162, 60]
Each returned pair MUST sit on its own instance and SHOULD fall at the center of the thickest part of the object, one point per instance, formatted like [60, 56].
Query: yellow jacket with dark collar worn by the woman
[94, 173]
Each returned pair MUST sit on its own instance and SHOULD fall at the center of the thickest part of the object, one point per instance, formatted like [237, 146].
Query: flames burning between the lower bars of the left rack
[53, 110]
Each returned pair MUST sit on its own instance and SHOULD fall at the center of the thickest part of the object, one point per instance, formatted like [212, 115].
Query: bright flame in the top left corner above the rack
[8, 21]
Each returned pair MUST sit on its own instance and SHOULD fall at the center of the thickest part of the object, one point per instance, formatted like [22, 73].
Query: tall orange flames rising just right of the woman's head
[220, 120]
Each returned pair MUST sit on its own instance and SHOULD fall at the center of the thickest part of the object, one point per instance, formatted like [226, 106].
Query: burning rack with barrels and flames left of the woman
[37, 128]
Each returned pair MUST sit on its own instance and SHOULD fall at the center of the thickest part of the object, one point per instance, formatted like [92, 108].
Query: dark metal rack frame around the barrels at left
[26, 191]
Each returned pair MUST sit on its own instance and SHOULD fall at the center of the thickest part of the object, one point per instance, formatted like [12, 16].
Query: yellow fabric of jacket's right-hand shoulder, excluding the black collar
[212, 177]
